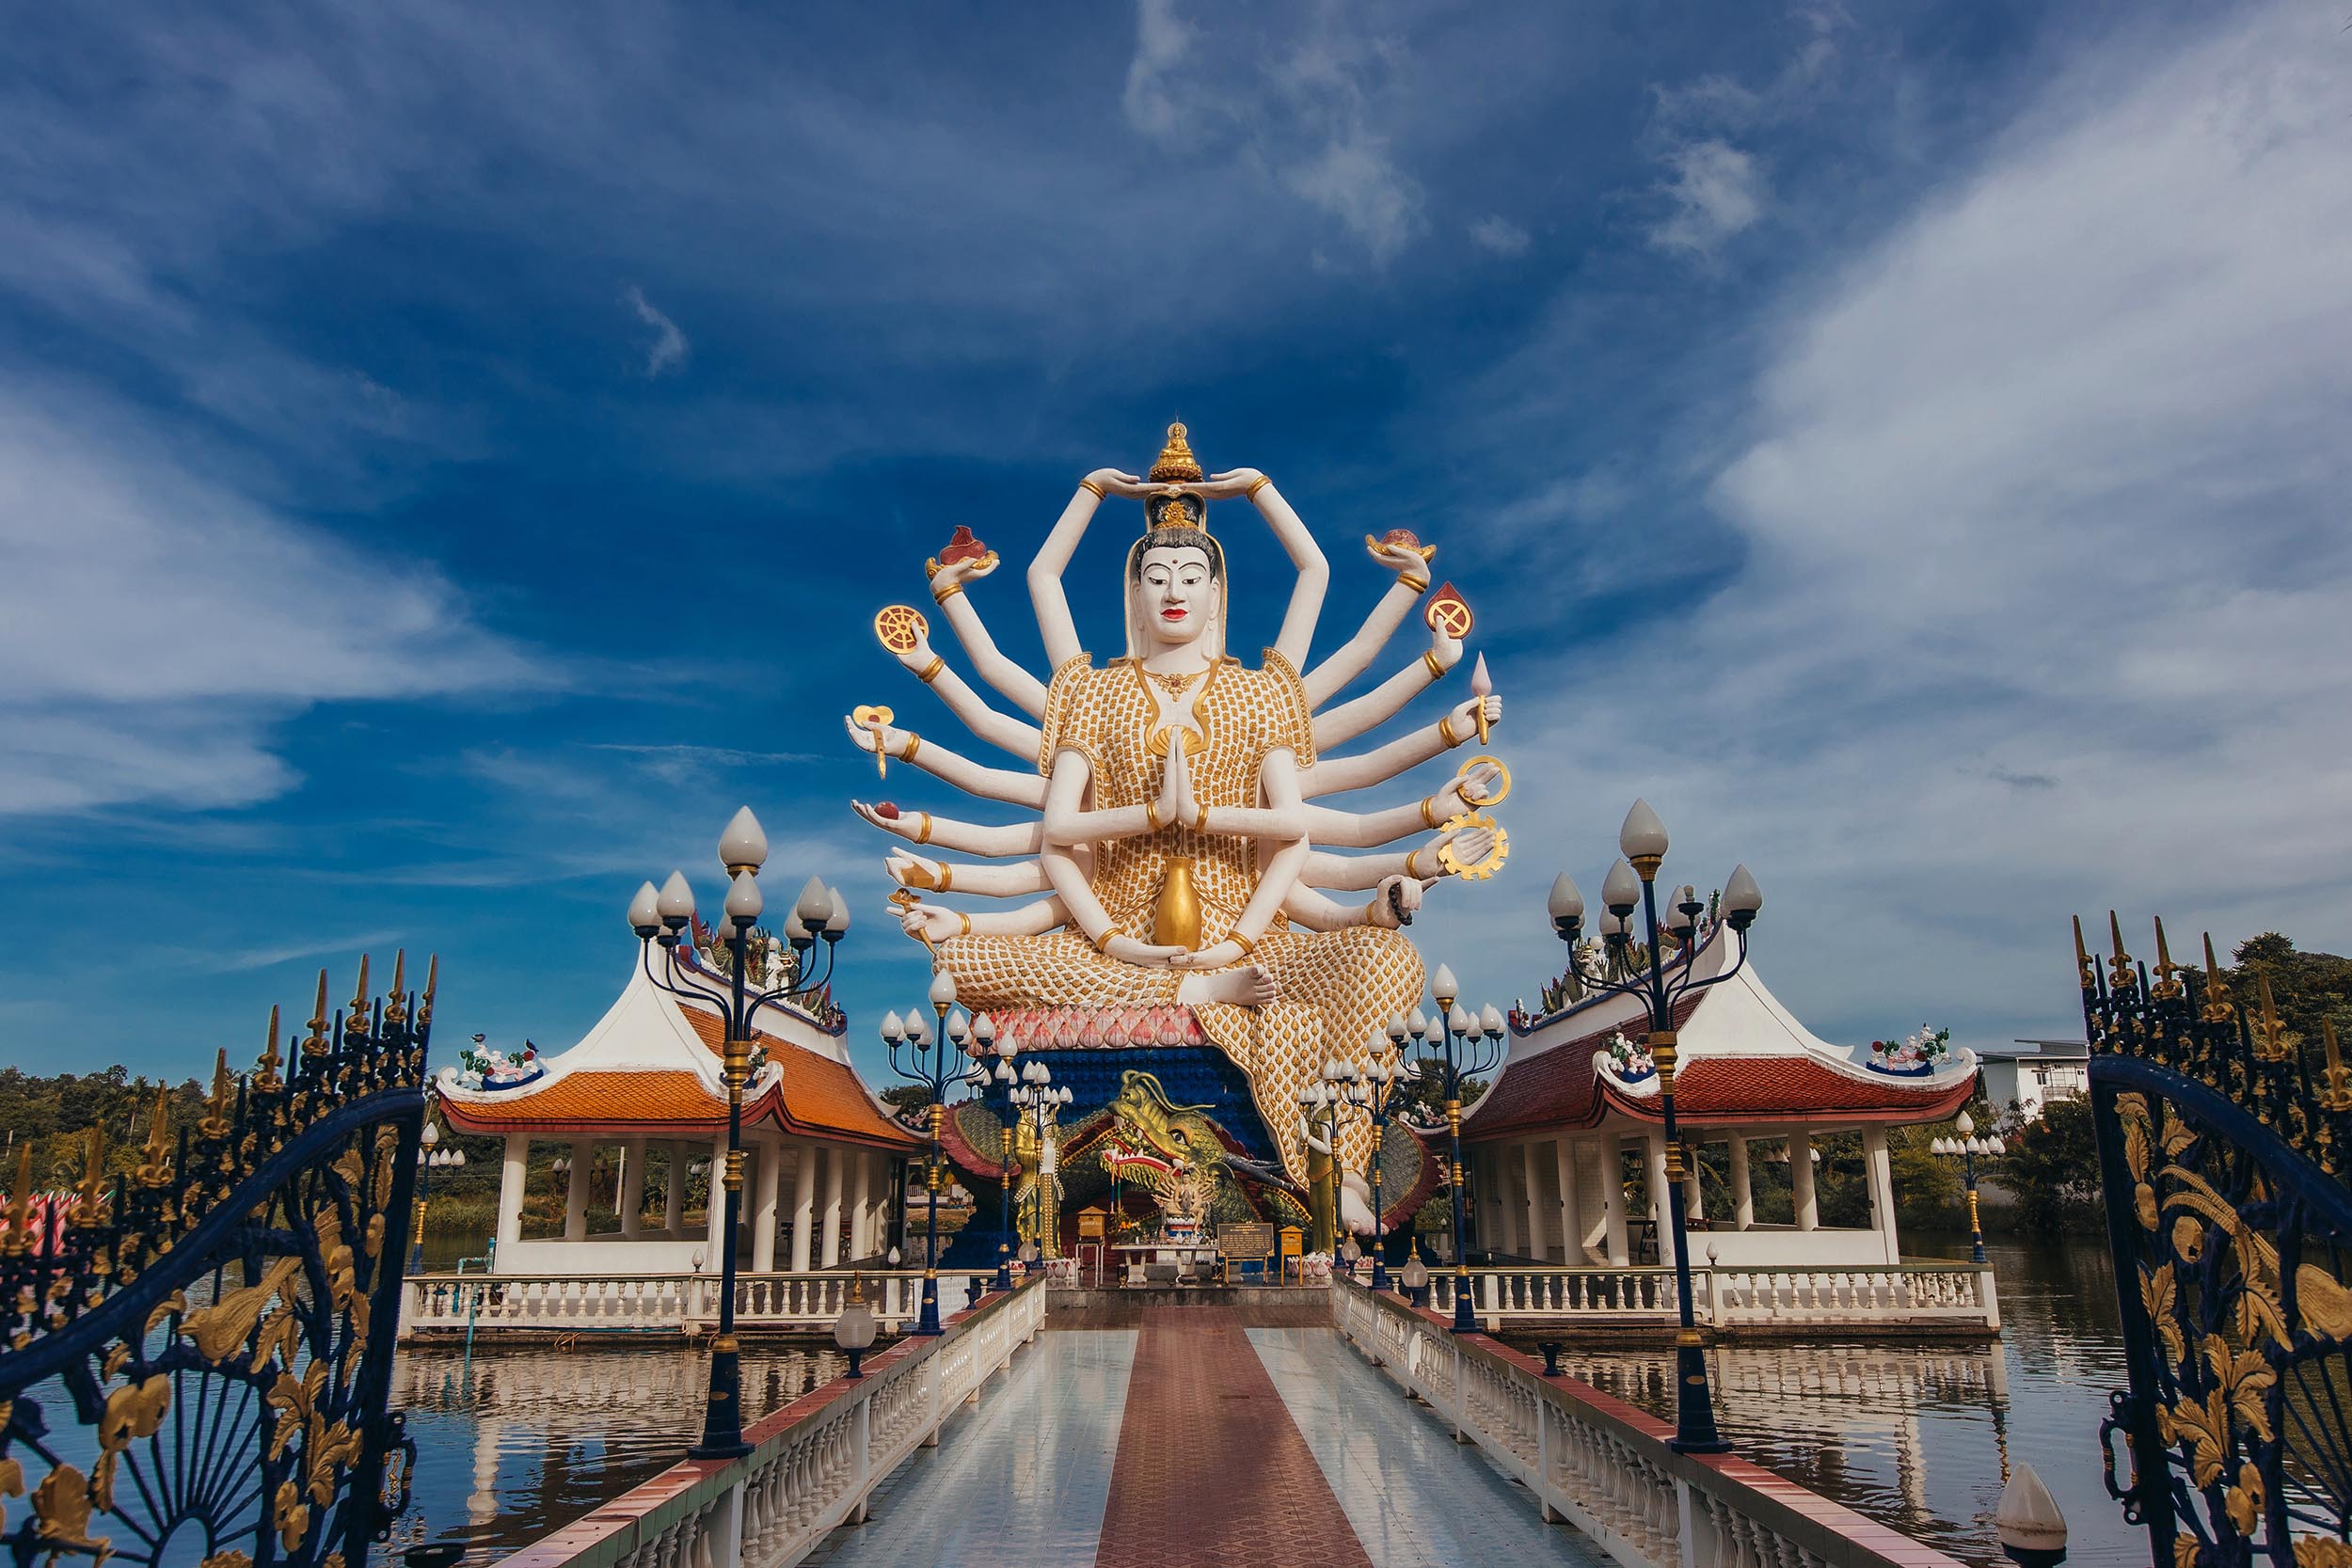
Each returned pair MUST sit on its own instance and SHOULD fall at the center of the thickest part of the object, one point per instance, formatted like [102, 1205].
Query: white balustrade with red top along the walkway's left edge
[813, 1466]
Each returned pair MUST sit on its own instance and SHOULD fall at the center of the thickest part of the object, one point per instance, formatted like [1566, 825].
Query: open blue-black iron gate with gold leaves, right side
[2221, 1148]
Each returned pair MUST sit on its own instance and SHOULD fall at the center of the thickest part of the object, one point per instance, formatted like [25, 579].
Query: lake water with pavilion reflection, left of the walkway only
[537, 1438]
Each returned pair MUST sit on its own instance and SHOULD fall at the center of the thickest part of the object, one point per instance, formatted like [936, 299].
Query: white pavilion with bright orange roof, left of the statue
[824, 1155]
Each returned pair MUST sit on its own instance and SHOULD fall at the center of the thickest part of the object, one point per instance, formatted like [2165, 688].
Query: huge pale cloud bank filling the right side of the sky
[2047, 601]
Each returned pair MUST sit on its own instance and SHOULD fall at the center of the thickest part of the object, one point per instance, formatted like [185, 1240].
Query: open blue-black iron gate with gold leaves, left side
[199, 1358]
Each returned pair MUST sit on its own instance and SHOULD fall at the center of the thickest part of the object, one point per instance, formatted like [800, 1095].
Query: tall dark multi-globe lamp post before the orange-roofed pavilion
[664, 920]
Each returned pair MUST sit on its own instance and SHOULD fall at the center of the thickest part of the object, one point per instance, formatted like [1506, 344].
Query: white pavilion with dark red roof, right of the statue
[1549, 1139]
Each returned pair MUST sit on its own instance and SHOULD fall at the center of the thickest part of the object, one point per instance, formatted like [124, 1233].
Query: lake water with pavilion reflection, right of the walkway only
[1923, 1438]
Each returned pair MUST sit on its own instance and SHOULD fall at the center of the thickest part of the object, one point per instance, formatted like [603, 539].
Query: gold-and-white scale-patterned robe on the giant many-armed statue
[1335, 991]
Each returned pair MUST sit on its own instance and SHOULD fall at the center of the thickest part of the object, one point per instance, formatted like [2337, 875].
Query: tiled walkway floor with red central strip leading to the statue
[1198, 1442]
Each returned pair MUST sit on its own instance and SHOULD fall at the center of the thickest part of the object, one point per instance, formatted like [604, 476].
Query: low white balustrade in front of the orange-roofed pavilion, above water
[667, 1304]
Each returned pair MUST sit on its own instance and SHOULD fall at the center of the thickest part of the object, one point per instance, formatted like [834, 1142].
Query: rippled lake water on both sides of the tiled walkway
[1918, 1438]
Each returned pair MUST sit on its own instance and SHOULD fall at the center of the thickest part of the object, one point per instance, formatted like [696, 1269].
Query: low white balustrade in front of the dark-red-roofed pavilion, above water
[1899, 1294]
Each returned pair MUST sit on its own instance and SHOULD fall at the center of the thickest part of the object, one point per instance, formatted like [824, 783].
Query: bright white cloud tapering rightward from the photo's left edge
[156, 624]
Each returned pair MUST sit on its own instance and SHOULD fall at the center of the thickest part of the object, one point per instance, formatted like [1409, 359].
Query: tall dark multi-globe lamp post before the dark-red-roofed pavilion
[1633, 883]
